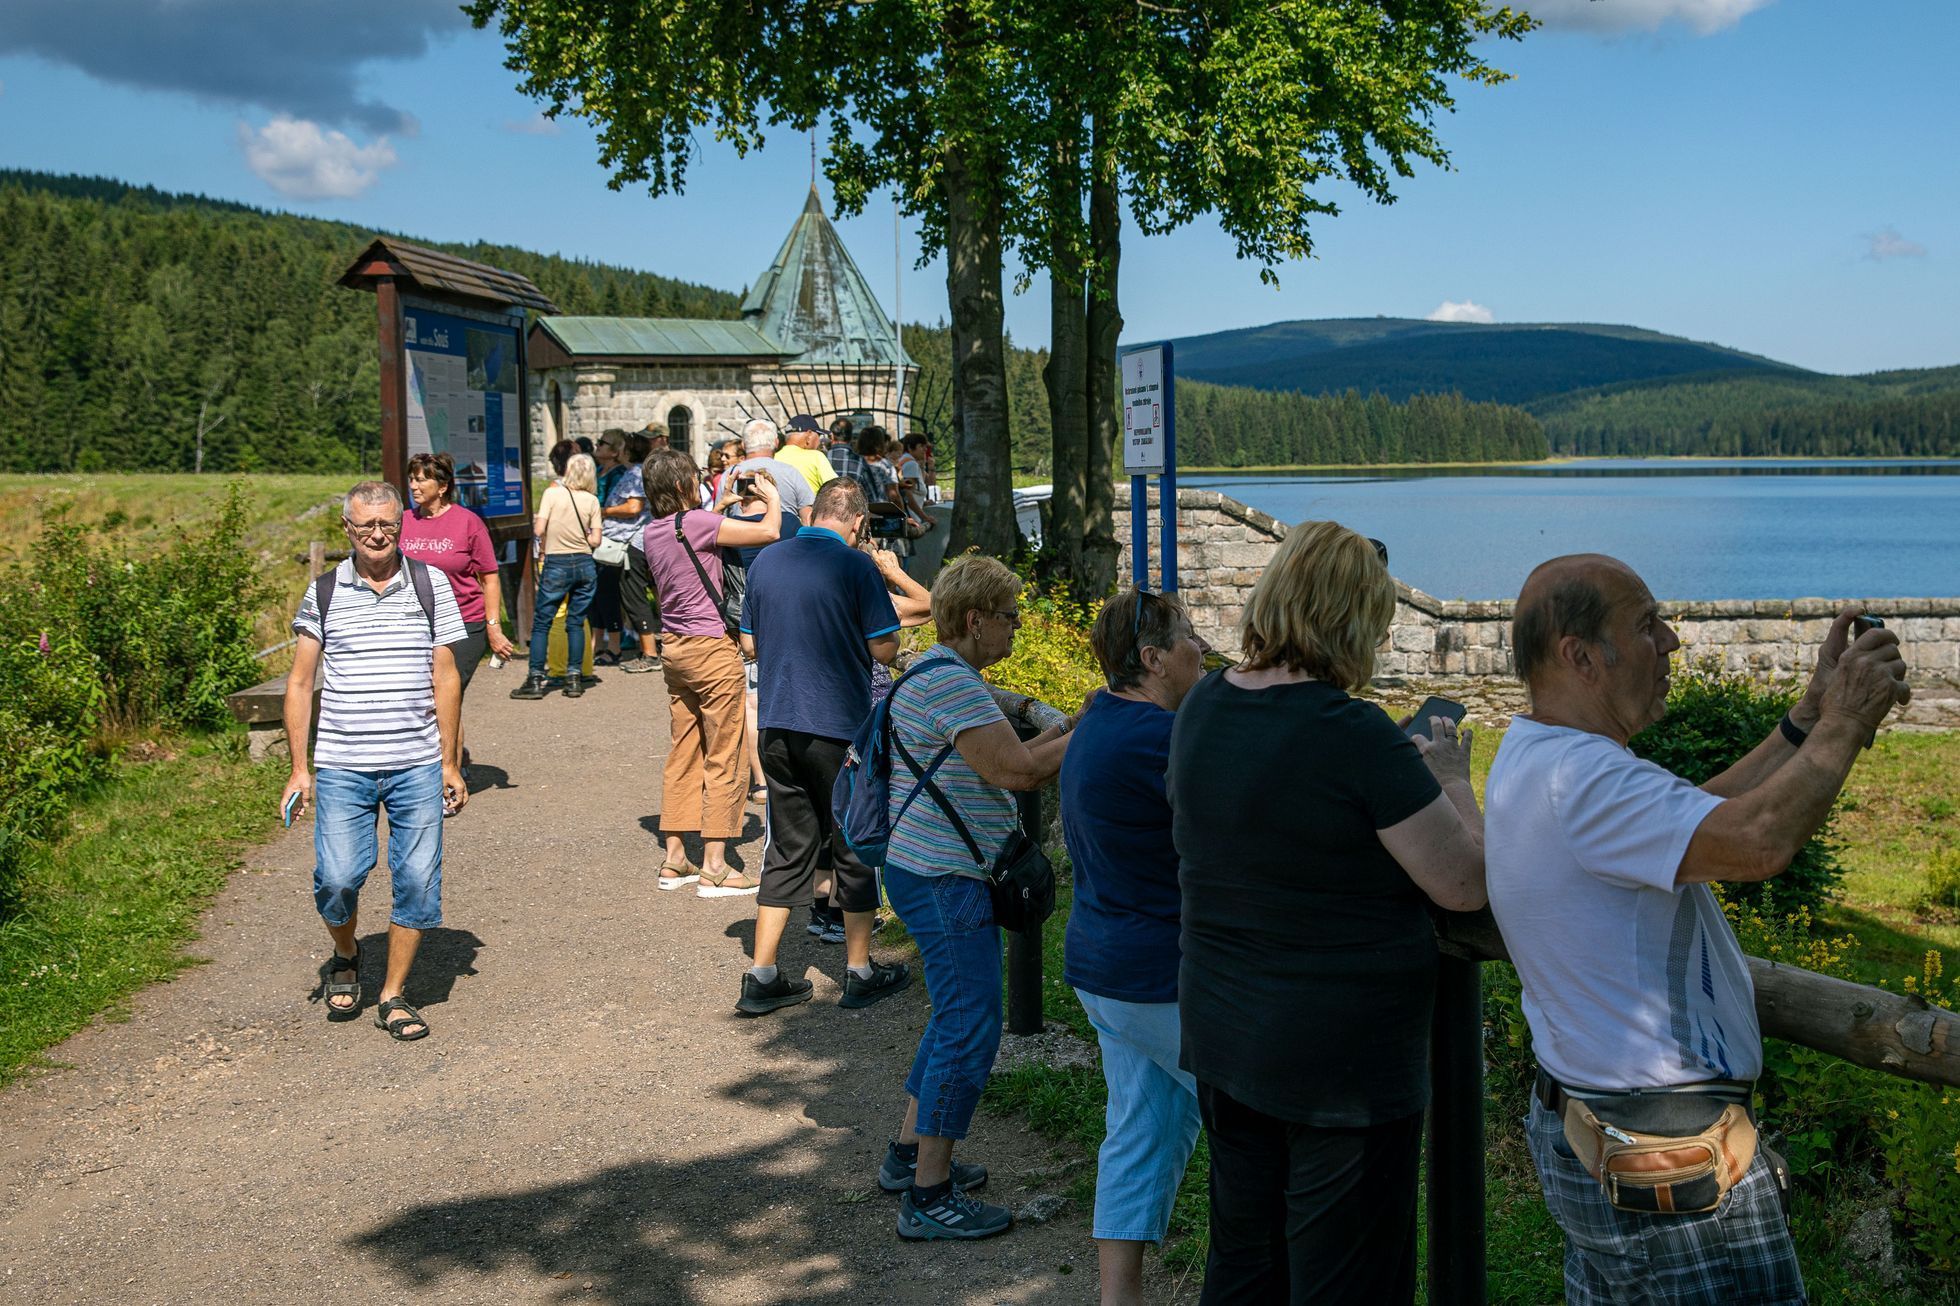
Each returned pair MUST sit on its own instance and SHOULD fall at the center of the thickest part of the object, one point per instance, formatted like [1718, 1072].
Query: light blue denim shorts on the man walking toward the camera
[346, 809]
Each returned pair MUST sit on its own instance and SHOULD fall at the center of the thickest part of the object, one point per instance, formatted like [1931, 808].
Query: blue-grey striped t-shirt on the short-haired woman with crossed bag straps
[932, 707]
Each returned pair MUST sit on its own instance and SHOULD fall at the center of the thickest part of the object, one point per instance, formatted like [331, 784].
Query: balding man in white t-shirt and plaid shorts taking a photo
[1640, 999]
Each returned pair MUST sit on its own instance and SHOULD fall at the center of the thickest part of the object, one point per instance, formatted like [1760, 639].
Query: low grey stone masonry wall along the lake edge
[1463, 650]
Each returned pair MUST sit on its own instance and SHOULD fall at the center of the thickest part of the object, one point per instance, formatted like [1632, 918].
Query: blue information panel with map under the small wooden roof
[464, 401]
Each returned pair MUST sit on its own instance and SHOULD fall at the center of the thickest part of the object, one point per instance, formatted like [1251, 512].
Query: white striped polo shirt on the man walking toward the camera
[377, 697]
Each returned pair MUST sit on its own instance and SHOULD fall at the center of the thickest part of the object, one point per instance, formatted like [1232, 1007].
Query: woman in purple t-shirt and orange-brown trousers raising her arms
[707, 687]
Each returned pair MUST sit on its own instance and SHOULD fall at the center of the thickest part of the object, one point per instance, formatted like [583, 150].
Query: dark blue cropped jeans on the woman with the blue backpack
[952, 919]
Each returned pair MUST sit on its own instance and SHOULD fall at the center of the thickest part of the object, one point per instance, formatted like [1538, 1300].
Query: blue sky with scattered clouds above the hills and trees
[1777, 176]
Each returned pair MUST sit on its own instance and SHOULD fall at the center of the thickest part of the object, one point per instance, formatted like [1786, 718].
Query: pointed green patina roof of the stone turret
[816, 301]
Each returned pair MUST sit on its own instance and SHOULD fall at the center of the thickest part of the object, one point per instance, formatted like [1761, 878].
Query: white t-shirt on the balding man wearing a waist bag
[1630, 981]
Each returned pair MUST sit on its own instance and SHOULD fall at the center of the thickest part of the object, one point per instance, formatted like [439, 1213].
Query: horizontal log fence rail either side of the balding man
[1867, 1027]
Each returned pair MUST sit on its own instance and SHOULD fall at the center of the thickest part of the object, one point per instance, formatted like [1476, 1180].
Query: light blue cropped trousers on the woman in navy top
[1151, 1119]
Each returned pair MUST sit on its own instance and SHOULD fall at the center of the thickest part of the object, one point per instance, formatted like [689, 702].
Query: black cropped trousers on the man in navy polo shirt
[801, 772]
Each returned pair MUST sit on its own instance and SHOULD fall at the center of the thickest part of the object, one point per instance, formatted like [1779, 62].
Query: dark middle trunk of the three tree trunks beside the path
[1067, 372]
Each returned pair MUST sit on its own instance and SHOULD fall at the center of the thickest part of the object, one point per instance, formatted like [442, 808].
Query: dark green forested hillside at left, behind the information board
[132, 321]
